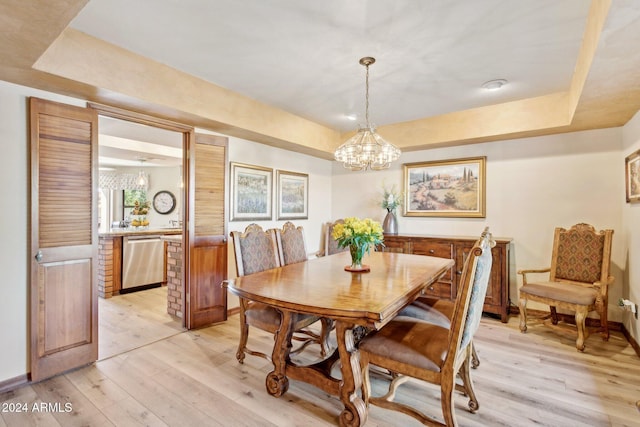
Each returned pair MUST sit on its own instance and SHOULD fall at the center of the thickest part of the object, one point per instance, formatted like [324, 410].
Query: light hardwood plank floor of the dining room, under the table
[192, 379]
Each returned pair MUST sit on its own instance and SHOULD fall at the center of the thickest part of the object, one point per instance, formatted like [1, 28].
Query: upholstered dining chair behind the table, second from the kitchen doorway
[292, 249]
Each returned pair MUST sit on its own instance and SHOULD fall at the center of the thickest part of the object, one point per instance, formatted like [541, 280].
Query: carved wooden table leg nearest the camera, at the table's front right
[355, 410]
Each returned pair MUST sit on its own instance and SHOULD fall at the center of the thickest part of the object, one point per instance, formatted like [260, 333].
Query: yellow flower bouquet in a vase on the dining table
[359, 235]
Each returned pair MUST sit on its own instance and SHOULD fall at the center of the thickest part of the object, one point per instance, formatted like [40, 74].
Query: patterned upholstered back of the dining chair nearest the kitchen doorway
[255, 250]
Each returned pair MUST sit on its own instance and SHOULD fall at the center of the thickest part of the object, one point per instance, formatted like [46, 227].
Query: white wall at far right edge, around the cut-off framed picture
[631, 230]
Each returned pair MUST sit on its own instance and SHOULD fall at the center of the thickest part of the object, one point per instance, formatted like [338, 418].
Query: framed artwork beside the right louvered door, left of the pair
[251, 189]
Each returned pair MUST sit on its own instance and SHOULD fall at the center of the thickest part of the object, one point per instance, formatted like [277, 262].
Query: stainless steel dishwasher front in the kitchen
[142, 261]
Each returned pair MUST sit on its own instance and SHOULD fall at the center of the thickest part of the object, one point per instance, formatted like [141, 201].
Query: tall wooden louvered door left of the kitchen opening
[63, 300]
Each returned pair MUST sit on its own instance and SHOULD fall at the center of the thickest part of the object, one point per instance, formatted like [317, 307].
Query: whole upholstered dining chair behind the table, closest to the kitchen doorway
[257, 250]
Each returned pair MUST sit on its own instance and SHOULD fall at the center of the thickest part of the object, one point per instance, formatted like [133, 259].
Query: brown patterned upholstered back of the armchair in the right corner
[581, 254]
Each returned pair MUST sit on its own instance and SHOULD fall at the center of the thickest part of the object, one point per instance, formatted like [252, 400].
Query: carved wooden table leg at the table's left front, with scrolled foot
[277, 382]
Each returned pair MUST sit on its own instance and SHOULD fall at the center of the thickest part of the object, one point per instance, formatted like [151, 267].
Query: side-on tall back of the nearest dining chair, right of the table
[468, 309]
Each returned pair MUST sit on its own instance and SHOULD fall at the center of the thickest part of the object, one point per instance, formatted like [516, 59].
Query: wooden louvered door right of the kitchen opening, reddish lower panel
[207, 263]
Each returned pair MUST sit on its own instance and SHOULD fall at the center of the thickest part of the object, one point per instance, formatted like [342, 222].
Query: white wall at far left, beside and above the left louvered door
[14, 232]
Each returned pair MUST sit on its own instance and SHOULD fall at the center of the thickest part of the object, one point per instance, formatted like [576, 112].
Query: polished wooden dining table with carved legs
[356, 302]
